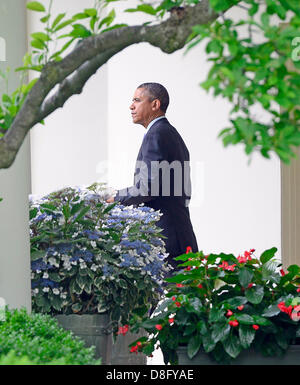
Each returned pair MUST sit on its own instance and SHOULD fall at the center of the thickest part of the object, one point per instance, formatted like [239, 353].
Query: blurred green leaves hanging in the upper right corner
[251, 68]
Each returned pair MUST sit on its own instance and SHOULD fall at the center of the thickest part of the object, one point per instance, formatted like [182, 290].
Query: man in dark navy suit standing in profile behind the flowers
[162, 172]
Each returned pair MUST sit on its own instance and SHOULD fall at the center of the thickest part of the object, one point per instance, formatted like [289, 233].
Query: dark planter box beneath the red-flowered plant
[247, 357]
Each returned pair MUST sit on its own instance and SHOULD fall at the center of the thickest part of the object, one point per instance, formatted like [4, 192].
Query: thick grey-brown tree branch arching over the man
[77, 67]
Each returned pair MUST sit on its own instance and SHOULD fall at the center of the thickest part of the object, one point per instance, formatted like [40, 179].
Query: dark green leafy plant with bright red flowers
[222, 304]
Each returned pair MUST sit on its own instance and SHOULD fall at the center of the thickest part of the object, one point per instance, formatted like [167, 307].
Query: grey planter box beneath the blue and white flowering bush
[95, 330]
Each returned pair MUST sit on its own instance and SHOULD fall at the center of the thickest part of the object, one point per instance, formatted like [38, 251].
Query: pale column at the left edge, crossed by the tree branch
[14, 182]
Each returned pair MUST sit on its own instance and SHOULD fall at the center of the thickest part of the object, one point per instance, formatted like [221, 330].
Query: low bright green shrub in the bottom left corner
[36, 339]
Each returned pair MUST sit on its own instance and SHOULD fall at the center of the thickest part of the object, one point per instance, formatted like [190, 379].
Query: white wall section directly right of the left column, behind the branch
[67, 150]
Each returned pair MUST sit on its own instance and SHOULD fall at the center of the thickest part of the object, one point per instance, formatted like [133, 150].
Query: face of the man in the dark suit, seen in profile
[142, 110]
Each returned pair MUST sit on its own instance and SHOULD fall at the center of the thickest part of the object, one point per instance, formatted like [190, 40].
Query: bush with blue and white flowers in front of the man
[88, 256]
